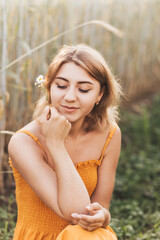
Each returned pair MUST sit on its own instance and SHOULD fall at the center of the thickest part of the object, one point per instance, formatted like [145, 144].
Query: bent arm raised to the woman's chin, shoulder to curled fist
[63, 189]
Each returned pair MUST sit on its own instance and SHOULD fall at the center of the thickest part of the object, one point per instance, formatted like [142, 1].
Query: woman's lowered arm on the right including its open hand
[99, 208]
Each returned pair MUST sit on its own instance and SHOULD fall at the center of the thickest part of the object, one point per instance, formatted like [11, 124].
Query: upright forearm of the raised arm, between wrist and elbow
[72, 195]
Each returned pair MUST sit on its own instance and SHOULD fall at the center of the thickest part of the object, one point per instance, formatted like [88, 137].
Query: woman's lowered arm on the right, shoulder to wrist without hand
[107, 171]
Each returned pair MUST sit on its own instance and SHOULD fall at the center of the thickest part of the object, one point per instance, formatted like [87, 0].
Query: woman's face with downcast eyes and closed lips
[74, 93]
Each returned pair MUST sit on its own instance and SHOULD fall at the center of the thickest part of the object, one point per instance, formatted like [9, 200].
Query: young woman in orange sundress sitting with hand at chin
[64, 161]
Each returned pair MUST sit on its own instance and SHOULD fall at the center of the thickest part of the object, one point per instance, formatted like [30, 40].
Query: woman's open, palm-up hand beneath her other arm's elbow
[98, 217]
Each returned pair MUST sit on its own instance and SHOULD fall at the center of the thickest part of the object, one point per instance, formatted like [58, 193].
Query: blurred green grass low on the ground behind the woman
[135, 205]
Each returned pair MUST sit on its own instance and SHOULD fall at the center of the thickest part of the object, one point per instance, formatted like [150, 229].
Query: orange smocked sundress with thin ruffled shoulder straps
[36, 221]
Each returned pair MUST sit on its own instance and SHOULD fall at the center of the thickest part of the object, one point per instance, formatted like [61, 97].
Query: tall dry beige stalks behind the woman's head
[134, 58]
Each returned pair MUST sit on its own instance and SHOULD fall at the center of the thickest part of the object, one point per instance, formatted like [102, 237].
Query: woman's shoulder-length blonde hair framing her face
[94, 64]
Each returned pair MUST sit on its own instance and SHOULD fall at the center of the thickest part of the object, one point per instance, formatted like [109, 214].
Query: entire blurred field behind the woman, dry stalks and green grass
[135, 60]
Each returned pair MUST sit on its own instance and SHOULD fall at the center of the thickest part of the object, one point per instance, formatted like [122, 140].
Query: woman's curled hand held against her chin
[54, 126]
